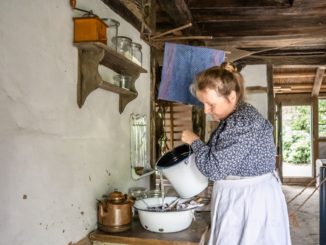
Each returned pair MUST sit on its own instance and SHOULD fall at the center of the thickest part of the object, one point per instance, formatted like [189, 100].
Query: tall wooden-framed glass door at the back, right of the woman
[294, 138]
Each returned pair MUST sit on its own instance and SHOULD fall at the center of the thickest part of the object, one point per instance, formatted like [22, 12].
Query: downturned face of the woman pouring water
[217, 105]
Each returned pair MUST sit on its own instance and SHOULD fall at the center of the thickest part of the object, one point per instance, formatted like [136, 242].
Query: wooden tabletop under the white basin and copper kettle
[195, 234]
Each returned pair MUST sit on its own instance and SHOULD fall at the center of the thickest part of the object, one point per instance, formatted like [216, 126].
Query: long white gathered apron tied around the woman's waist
[249, 211]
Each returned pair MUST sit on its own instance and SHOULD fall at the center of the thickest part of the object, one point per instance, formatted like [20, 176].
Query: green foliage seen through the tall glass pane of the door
[296, 135]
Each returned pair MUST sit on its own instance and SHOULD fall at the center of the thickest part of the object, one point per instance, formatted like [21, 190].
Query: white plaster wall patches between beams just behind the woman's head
[256, 75]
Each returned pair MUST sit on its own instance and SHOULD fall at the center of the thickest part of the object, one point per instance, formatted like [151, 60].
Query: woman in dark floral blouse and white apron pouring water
[248, 206]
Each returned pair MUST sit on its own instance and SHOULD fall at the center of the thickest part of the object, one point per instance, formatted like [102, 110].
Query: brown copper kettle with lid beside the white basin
[115, 212]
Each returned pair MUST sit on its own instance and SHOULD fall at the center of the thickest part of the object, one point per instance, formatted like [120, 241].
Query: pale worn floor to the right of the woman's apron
[306, 229]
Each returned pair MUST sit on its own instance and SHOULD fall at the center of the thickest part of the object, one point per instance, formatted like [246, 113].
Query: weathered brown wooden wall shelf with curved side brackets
[93, 54]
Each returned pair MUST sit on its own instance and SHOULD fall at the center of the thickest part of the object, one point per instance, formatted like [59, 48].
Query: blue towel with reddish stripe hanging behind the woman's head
[181, 64]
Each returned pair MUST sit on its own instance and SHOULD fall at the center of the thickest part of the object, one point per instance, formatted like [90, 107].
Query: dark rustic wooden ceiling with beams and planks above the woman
[286, 34]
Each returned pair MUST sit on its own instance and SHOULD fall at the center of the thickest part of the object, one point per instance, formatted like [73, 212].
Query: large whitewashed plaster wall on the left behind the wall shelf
[55, 158]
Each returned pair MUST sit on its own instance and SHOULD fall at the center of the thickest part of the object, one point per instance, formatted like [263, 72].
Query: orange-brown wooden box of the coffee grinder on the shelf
[89, 29]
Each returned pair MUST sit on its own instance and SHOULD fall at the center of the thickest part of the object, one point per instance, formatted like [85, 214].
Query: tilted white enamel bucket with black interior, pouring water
[179, 167]
